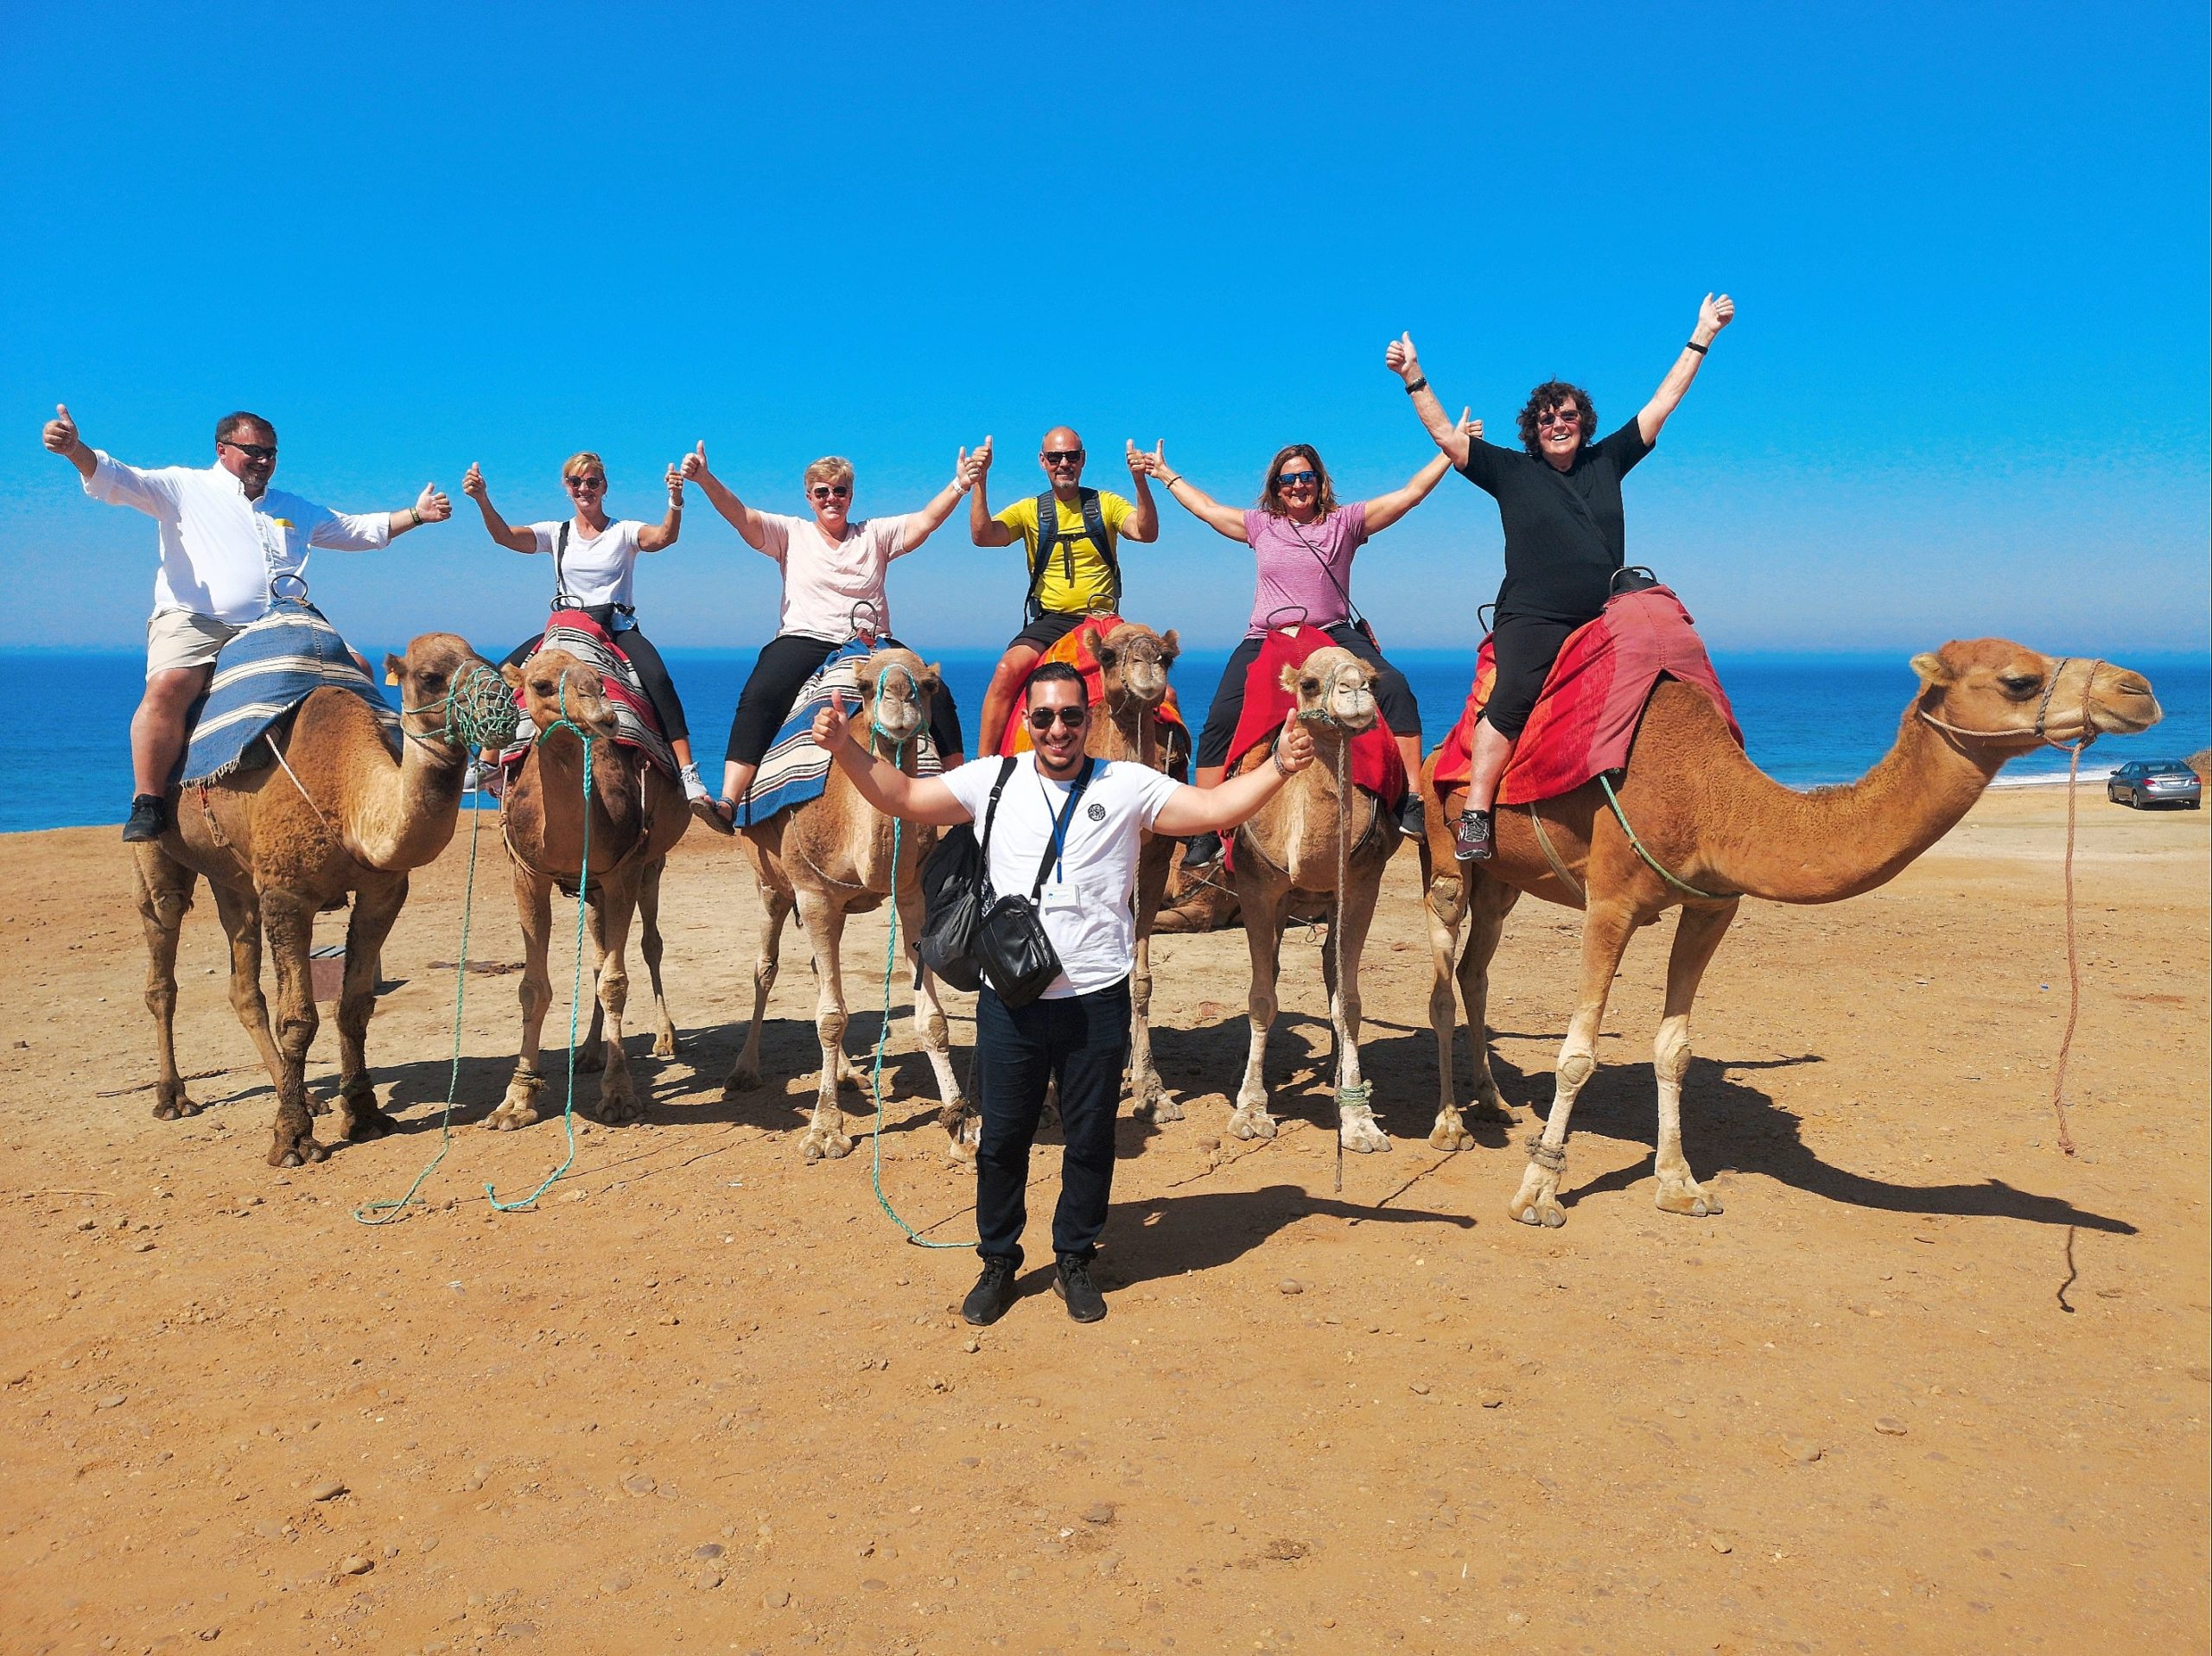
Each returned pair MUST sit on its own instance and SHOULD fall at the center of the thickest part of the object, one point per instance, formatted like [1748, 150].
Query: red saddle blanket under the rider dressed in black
[1594, 698]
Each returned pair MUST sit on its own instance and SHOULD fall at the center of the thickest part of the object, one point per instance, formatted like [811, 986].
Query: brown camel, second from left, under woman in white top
[636, 819]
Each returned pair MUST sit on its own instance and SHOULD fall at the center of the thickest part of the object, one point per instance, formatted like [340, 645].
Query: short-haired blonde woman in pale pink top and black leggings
[833, 585]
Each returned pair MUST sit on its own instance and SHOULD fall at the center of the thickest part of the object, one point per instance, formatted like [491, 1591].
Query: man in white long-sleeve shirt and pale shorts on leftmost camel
[227, 541]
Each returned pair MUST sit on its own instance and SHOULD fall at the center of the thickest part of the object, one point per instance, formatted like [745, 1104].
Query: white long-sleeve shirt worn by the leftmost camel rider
[222, 552]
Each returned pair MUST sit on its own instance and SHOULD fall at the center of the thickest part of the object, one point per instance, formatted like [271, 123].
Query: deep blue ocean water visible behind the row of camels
[1806, 720]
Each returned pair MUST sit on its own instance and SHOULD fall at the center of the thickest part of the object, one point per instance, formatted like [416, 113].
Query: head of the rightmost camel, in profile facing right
[2018, 698]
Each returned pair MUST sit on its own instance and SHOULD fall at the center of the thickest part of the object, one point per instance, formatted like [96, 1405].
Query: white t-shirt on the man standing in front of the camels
[1087, 894]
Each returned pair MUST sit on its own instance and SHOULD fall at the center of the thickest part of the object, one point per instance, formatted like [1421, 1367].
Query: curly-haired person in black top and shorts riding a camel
[1561, 503]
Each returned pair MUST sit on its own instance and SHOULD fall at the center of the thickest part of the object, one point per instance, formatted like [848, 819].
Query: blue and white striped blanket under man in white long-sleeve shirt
[262, 678]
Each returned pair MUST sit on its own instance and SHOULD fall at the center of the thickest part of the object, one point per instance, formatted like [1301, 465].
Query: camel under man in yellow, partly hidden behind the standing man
[1136, 667]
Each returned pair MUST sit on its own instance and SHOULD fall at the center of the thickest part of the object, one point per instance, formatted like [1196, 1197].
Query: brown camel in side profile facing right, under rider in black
[1715, 824]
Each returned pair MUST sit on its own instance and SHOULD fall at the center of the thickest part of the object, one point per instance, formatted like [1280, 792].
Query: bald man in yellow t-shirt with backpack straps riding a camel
[1072, 574]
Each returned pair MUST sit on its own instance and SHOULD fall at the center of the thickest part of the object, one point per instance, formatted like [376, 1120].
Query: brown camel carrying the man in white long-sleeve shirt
[282, 843]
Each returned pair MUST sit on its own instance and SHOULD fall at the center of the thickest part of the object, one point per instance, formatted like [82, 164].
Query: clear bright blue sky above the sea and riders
[1968, 390]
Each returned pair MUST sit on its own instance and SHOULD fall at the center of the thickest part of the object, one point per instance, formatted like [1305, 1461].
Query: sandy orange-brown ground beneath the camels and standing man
[1926, 1385]
